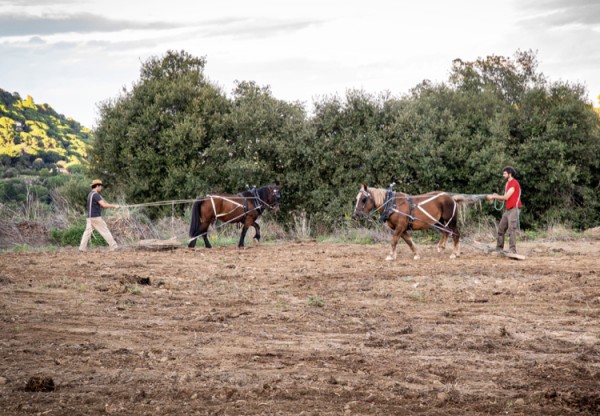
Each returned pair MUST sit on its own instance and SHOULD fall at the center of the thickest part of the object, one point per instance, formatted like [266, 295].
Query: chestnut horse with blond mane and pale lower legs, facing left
[404, 213]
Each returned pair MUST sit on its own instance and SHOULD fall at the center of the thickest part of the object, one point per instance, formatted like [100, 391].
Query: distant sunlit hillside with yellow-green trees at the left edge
[34, 136]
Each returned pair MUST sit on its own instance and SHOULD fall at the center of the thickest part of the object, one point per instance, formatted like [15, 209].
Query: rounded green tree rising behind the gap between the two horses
[332, 157]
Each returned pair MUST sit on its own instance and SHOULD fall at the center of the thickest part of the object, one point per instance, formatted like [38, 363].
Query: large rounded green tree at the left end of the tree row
[153, 141]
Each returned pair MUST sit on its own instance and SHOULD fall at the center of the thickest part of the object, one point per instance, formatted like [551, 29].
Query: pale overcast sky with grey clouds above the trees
[74, 54]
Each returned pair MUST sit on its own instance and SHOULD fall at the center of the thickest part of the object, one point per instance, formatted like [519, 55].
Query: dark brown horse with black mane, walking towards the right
[245, 207]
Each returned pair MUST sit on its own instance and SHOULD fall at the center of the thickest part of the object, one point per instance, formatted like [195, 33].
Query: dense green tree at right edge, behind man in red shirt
[559, 138]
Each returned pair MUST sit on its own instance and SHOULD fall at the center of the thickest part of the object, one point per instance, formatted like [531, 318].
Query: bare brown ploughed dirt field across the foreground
[301, 328]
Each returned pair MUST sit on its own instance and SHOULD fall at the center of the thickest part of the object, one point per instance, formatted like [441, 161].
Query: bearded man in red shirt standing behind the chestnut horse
[510, 218]
